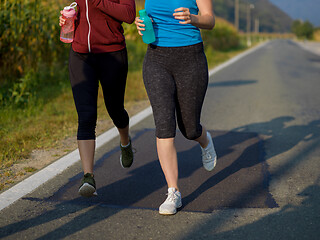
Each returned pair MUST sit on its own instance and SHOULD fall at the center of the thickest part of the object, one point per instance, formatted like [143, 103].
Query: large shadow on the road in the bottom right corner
[290, 222]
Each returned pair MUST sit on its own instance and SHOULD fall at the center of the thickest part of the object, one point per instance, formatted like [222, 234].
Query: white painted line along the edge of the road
[34, 181]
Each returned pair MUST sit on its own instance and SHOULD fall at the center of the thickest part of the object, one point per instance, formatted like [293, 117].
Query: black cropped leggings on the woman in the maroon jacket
[85, 71]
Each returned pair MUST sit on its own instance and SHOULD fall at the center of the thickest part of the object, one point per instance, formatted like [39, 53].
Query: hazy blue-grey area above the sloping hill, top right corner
[301, 9]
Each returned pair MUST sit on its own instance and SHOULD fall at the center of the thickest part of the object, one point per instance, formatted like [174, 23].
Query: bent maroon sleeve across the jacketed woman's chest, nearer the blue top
[123, 11]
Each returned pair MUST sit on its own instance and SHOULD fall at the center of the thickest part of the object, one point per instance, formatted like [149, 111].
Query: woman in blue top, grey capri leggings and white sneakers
[175, 74]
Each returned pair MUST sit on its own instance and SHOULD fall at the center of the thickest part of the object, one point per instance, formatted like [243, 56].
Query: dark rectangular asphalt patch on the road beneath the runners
[241, 161]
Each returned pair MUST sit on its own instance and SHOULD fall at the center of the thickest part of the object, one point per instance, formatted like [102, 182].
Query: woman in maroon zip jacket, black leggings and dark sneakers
[98, 53]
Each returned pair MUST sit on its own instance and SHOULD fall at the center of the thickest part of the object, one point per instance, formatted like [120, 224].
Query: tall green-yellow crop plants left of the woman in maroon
[29, 44]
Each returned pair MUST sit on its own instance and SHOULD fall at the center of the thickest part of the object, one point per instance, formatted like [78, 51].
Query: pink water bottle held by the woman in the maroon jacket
[67, 30]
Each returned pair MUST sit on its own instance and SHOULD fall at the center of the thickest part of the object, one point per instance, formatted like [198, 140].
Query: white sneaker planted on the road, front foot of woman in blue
[172, 202]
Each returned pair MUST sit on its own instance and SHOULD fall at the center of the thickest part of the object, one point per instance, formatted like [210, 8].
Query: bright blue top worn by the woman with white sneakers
[168, 31]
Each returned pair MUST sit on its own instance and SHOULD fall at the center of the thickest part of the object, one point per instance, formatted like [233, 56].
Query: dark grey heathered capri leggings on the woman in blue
[176, 80]
